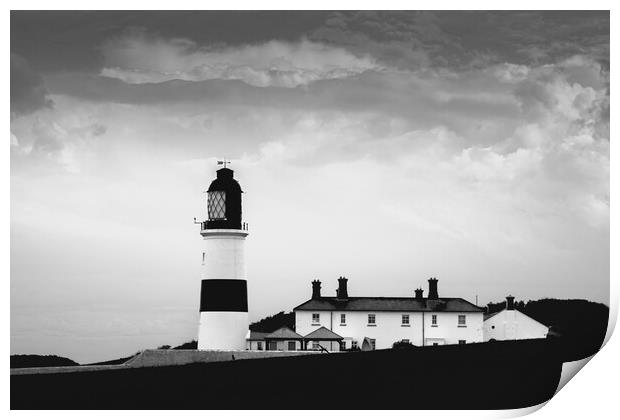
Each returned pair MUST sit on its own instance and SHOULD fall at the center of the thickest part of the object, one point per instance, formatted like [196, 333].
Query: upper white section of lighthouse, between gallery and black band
[224, 251]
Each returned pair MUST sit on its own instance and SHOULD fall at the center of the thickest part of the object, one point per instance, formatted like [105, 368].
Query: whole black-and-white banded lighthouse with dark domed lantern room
[223, 292]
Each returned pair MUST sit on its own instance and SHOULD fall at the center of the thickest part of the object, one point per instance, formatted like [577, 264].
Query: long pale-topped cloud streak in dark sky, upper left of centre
[138, 57]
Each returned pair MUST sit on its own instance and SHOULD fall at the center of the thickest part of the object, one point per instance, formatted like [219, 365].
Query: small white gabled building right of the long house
[511, 324]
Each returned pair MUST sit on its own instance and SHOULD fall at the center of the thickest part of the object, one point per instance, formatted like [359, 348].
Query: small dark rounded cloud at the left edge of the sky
[28, 92]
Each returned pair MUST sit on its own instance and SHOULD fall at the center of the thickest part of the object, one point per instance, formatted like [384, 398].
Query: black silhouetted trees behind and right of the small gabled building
[579, 325]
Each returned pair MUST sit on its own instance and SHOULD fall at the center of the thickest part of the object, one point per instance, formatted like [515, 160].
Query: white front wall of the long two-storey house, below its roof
[389, 329]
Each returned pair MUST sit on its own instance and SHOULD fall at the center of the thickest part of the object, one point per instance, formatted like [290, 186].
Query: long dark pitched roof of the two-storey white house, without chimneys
[396, 304]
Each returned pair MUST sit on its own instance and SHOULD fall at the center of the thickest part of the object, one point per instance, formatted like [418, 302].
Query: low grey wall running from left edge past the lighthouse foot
[153, 358]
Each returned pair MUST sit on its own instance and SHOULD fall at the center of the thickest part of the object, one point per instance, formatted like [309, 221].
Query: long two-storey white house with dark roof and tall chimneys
[378, 322]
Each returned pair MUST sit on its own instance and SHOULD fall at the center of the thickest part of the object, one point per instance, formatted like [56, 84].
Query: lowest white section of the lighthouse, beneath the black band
[222, 330]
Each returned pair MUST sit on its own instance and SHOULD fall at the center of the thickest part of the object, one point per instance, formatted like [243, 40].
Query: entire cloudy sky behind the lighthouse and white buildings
[386, 147]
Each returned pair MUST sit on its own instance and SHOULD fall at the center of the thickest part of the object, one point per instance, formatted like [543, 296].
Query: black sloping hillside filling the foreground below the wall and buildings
[496, 375]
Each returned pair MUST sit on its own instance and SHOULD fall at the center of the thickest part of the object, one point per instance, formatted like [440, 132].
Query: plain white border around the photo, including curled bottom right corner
[592, 394]
